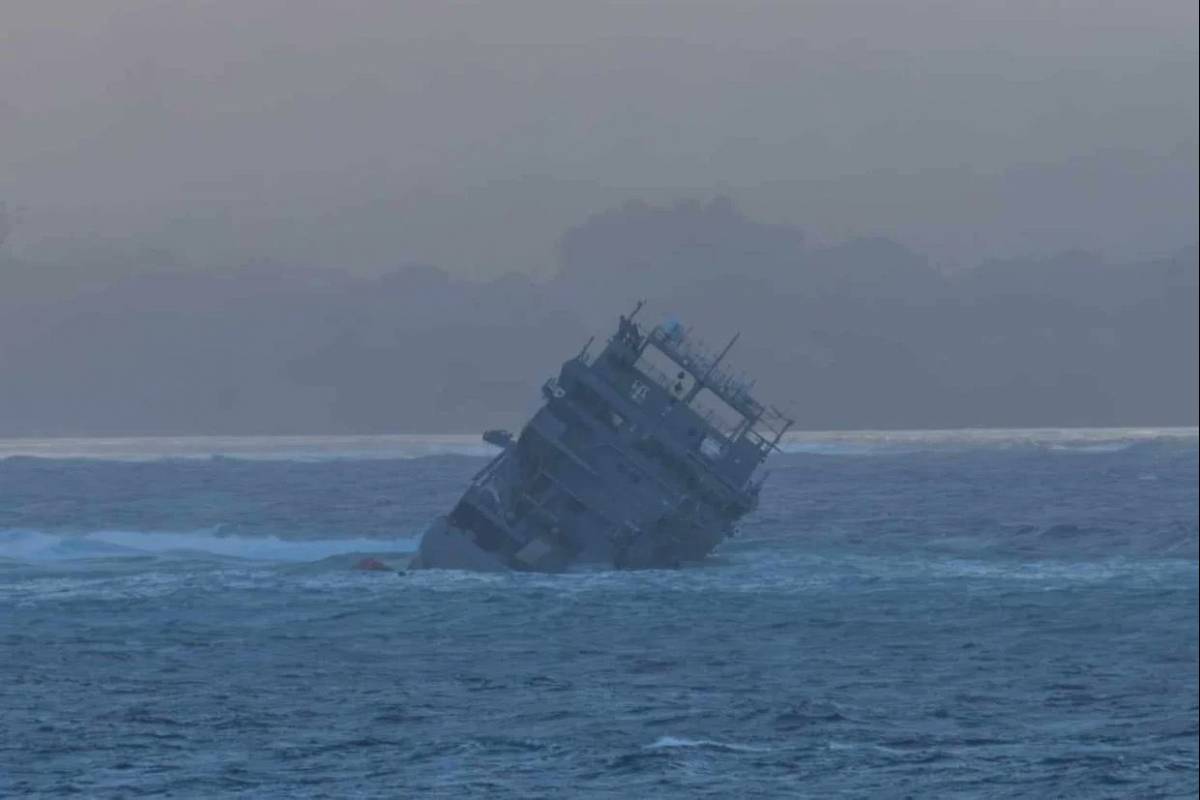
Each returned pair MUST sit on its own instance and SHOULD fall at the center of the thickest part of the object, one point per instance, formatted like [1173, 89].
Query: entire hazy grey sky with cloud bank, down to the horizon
[308, 218]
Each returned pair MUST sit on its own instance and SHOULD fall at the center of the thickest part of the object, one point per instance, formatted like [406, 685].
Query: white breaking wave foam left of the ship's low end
[40, 546]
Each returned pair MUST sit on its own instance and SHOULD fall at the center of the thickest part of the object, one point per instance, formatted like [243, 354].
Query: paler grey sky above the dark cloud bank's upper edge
[472, 136]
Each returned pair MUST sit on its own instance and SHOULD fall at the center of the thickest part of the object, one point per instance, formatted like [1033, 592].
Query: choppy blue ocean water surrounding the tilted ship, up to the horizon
[968, 615]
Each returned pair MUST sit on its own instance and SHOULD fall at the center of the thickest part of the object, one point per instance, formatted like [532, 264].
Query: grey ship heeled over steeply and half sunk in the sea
[643, 456]
